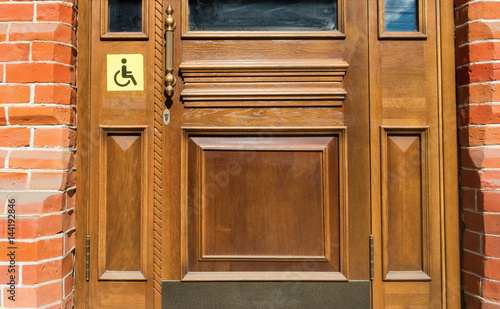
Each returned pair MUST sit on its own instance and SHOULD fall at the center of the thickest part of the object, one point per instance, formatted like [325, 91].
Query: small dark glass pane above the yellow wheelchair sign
[125, 15]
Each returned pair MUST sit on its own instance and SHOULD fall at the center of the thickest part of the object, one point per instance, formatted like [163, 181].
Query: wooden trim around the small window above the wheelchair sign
[107, 35]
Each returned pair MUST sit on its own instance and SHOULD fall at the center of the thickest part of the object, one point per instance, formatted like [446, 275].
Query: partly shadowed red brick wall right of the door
[478, 79]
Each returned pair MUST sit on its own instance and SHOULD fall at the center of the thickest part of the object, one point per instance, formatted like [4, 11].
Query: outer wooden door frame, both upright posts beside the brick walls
[448, 174]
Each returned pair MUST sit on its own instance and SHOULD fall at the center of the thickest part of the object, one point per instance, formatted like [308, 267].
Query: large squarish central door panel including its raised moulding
[263, 202]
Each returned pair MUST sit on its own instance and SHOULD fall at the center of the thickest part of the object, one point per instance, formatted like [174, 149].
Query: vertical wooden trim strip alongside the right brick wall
[450, 246]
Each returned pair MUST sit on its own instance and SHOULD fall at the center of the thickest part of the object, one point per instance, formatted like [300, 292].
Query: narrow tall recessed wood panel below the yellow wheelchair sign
[122, 214]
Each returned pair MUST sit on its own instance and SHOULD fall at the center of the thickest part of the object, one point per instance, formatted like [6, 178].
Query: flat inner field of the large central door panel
[262, 204]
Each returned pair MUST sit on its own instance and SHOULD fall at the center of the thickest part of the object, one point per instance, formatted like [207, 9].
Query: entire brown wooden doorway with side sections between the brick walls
[258, 177]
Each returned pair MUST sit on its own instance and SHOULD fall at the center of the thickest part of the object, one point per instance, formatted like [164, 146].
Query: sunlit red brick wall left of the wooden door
[37, 145]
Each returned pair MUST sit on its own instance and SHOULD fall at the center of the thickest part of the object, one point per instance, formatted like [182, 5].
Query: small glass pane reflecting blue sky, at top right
[400, 15]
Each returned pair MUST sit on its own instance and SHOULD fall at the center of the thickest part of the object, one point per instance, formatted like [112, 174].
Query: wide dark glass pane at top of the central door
[262, 15]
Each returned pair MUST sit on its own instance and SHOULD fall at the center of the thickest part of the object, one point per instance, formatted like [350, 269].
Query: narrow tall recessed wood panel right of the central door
[405, 204]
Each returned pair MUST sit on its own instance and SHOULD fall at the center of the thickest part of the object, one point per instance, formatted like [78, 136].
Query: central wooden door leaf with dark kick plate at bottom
[266, 127]
